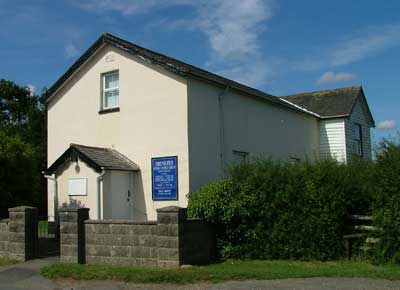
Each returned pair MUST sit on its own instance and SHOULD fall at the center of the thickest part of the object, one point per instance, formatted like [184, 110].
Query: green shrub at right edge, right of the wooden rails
[387, 205]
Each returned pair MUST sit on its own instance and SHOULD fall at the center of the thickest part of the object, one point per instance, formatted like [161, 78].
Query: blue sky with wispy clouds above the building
[281, 47]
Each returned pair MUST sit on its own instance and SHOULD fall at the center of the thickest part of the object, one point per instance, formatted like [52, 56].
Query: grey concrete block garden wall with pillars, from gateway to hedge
[167, 242]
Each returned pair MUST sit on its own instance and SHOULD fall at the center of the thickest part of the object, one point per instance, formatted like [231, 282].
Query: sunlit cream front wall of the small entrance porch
[69, 171]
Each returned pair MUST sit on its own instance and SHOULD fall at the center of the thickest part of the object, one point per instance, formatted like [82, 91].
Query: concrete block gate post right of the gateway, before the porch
[72, 234]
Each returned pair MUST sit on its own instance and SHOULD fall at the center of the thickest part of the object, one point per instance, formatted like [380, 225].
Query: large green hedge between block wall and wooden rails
[279, 210]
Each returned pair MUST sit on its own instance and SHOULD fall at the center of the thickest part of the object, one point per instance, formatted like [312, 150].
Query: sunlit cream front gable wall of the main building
[152, 121]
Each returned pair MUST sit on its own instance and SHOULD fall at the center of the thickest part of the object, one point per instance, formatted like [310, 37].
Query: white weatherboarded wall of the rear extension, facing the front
[333, 139]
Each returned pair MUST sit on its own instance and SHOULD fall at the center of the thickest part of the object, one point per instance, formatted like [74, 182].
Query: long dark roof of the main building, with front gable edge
[170, 64]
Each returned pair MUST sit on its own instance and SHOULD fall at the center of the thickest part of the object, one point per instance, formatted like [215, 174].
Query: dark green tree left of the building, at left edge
[22, 147]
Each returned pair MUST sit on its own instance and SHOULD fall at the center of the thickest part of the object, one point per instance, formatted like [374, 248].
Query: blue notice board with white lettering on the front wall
[164, 172]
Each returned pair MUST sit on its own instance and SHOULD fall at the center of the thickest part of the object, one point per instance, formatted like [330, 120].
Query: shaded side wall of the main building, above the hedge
[249, 125]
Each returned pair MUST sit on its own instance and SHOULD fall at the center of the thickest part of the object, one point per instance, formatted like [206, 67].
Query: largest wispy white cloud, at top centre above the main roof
[233, 29]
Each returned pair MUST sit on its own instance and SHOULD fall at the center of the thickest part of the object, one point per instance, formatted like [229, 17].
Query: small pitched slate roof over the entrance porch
[96, 157]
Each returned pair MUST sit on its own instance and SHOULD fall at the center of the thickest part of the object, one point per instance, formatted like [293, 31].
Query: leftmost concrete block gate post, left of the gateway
[23, 233]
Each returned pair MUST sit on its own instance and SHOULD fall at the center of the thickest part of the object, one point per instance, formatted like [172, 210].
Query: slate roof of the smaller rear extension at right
[329, 103]
